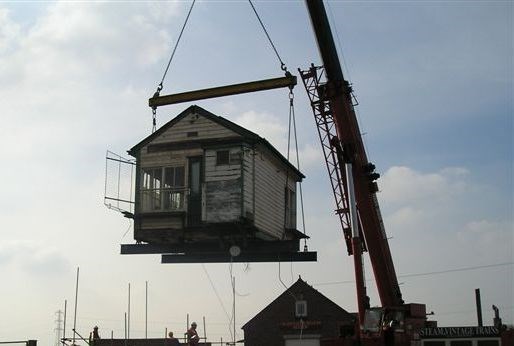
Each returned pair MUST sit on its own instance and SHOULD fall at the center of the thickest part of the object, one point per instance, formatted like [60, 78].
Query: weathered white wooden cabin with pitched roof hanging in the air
[203, 182]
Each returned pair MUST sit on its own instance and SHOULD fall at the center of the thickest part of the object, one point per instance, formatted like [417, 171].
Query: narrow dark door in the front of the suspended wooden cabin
[194, 208]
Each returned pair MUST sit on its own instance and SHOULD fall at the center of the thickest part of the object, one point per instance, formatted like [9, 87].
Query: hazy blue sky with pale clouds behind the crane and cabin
[434, 80]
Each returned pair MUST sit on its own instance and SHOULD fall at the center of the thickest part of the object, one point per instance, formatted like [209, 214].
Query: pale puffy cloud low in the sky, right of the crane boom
[424, 208]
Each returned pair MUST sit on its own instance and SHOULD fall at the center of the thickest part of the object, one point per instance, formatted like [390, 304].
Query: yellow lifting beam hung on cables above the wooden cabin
[234, 89]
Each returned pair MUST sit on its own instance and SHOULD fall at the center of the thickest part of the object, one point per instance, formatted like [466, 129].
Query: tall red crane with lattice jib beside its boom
[352, 178]
